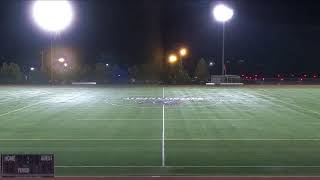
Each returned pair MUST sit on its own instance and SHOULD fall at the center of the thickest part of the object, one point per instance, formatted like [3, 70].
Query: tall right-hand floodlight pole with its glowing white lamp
[222, 13]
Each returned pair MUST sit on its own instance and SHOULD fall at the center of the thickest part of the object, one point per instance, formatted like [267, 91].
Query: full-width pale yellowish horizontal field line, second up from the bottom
[169, 139]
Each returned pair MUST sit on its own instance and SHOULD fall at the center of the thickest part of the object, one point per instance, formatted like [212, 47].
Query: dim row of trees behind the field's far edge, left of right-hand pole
[106, 73]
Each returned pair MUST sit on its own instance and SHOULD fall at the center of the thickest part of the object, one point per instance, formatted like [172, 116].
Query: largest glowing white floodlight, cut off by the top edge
[52, 15]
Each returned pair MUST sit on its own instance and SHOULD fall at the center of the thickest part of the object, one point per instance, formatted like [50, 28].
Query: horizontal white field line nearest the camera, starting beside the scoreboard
[217, 166]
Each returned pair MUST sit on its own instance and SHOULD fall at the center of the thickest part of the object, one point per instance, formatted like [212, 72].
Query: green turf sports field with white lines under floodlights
[213, 131]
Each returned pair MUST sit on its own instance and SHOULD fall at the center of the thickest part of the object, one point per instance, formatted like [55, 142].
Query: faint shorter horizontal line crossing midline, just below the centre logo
[97, 119]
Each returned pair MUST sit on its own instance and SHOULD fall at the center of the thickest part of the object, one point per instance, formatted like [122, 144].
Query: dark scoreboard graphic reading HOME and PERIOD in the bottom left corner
[27, 165]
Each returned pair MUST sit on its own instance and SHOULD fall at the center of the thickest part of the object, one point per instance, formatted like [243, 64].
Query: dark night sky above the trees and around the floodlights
[270, 35]
